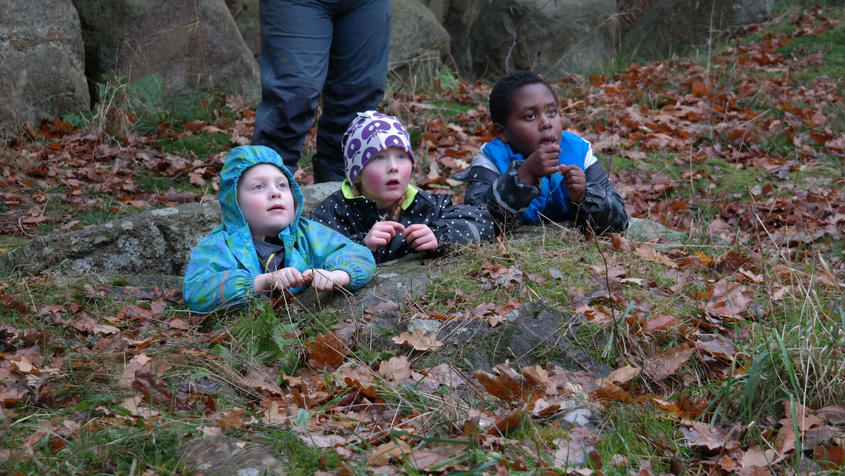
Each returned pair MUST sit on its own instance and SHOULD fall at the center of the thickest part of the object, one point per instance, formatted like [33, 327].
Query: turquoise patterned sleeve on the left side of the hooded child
[214, 278]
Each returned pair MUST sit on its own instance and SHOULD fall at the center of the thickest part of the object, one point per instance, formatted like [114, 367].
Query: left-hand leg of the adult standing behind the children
[296, 37]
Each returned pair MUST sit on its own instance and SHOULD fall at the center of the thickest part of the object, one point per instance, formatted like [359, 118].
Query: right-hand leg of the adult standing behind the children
[356, 78]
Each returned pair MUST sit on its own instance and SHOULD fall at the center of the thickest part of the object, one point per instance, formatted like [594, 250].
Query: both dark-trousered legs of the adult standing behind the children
[337, 47]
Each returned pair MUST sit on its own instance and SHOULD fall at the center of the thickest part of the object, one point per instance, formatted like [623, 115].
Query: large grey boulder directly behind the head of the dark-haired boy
[553, 37]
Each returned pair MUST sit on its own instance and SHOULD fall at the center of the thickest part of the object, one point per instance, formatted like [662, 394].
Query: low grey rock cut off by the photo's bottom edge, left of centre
[221, 455]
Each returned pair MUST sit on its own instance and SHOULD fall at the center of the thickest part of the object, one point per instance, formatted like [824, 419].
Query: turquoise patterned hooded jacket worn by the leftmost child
[224, 263]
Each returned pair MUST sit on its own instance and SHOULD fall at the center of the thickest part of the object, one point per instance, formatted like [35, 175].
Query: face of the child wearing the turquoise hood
[265, 199]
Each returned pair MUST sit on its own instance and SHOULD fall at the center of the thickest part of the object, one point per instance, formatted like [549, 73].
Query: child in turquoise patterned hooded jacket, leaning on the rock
[264, 243]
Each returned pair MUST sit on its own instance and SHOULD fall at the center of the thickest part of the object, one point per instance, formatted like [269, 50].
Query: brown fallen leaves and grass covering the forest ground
[684, 337]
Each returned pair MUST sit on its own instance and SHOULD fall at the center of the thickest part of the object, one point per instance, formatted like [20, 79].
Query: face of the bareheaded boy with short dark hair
[533, 120]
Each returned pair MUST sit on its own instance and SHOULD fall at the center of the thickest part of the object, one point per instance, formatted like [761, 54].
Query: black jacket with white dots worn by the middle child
[354, 216]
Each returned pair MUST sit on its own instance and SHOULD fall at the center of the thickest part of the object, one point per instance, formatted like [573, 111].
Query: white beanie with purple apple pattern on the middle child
[367, 135]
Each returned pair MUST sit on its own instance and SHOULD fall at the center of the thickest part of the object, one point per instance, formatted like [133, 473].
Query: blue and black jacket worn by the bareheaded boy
[493, 183]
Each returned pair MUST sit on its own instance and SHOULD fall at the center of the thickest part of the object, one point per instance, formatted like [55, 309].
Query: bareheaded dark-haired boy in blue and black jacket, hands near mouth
[534, 171]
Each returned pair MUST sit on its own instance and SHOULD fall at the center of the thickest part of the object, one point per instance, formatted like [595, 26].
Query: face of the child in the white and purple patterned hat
[386, 176]
